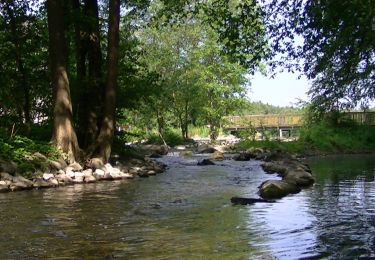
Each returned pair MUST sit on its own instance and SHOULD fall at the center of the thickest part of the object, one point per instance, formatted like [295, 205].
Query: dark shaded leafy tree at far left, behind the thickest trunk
[23, 52]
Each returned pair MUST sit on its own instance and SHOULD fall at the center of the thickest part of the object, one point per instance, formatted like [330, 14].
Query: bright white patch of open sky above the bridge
[283, 90]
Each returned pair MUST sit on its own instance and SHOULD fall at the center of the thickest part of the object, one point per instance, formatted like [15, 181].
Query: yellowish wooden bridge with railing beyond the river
[285, 123]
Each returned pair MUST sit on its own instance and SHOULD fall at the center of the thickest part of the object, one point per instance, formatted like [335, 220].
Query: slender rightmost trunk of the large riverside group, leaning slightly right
[105, 138]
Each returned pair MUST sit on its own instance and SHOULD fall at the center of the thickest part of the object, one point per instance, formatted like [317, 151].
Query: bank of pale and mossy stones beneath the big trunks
[55, 173]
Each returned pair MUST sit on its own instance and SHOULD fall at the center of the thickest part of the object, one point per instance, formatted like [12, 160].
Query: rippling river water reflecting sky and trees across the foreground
[185, 213]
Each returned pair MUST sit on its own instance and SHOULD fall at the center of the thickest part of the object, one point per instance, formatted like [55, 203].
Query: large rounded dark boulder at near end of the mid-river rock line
[274, 189]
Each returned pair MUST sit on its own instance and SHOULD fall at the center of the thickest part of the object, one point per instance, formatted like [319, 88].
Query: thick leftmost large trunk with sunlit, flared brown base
[64, 136]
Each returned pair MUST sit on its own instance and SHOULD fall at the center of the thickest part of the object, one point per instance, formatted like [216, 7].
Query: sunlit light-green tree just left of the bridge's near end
[222, 81]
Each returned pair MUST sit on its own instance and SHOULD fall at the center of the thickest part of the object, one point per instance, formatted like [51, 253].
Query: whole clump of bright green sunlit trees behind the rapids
[194, 74]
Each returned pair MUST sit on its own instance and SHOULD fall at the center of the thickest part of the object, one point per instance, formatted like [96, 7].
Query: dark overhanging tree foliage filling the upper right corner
[338, 49]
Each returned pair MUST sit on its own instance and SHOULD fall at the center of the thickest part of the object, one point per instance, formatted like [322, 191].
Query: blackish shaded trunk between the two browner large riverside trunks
[89, 71]
